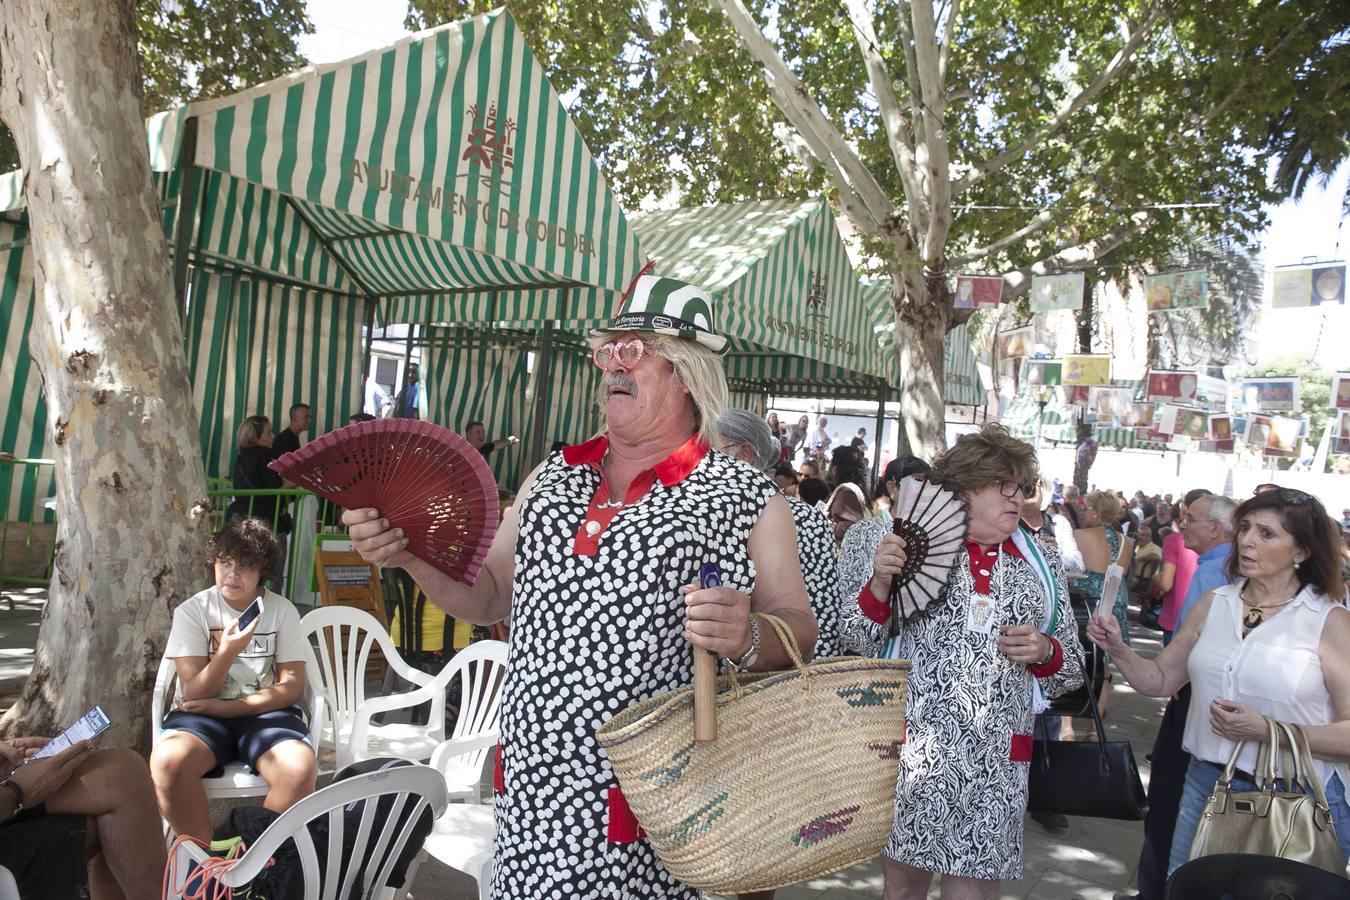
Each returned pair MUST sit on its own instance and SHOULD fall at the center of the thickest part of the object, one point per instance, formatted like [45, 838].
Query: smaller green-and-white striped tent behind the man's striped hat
[784, 293]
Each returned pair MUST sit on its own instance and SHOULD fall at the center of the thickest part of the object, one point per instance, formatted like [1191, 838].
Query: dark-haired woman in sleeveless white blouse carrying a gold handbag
[1272, 643]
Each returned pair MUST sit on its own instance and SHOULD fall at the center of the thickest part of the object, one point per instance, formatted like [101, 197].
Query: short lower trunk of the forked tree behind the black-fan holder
[921, 347]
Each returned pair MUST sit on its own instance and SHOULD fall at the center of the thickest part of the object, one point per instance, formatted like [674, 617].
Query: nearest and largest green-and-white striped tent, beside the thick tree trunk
[441, 176]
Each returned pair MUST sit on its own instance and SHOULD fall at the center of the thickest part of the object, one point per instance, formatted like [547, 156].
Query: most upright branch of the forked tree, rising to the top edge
[932, 153]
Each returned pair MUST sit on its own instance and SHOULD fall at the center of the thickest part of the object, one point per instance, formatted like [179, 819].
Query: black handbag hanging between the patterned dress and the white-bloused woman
[1094, 779]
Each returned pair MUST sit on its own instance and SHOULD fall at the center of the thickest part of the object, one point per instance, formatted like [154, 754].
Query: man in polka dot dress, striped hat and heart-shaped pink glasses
[597, 567]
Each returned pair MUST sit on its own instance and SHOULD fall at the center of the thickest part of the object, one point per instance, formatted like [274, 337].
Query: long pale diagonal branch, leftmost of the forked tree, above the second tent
[796, 102]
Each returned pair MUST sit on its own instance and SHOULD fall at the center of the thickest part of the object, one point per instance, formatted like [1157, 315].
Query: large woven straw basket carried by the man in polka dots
[800, 782]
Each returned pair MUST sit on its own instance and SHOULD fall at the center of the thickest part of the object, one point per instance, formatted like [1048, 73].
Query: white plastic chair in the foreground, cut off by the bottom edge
[411, 789]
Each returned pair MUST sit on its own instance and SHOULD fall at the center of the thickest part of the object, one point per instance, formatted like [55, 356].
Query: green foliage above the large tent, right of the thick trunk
[200, 49]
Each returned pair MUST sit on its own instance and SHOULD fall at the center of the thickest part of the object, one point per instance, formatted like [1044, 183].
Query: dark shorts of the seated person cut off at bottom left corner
[45, 853]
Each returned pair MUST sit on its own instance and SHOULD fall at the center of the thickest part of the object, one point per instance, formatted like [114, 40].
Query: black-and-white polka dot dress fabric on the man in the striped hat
[592, 636]
